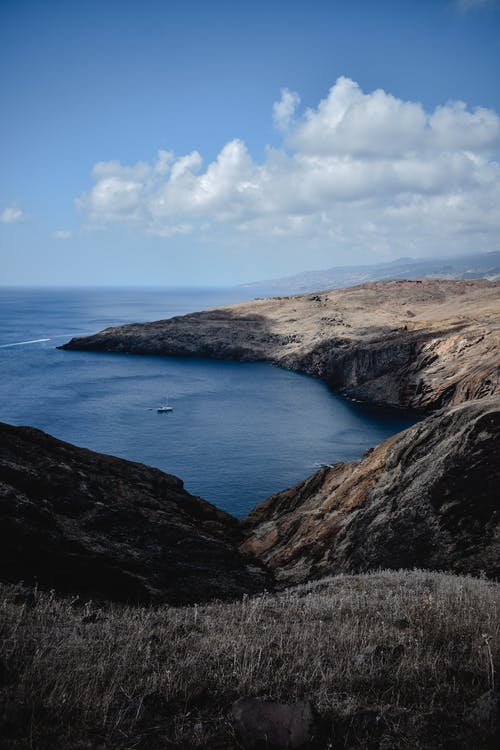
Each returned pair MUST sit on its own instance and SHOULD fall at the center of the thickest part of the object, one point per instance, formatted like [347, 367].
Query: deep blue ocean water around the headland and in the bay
[238, 432]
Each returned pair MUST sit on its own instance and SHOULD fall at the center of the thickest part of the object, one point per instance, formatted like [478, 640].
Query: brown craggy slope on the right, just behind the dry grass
[428, 497]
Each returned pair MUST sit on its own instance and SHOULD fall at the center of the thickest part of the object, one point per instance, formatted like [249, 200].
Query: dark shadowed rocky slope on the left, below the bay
[90, 524]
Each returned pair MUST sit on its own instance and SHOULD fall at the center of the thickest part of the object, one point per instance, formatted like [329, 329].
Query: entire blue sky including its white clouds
[219, 142]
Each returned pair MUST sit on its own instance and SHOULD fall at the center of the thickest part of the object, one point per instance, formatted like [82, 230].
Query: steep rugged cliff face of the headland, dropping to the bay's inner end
[423, 369]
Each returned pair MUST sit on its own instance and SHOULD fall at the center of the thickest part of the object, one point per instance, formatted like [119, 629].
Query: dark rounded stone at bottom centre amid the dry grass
[265, 724]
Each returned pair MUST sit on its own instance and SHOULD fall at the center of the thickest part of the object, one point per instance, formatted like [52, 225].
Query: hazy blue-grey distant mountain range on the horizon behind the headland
[483, 265]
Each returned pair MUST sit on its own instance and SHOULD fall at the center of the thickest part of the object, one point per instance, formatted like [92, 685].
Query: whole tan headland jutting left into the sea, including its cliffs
[419, 344]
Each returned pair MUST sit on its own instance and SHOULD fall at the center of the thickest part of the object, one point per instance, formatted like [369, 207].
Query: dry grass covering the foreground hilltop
[416, 647]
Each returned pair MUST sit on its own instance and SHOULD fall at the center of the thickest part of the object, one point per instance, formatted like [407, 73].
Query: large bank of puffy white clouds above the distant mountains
[365, 171]
